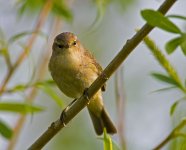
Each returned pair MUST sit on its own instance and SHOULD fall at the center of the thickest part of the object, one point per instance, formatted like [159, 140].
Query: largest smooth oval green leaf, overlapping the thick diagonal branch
[155, 18]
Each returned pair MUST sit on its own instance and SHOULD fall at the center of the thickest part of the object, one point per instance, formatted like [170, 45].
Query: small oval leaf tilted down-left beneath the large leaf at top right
[173, 44]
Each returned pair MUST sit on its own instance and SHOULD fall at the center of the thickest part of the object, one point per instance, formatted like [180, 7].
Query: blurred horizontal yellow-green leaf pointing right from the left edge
[23, 108]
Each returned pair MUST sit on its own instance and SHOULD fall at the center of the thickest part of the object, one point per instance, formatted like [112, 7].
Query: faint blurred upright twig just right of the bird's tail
[120, 100]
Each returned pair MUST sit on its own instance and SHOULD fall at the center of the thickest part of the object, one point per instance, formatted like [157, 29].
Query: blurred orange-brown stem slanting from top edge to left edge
[41, 20]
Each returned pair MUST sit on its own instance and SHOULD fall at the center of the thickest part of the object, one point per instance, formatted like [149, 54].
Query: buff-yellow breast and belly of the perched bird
[71, 75]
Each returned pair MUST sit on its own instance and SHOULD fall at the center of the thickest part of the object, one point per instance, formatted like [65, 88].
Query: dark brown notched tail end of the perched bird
[101, 122]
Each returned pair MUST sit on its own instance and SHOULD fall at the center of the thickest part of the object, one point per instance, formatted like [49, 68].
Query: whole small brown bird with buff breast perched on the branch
[74, 69]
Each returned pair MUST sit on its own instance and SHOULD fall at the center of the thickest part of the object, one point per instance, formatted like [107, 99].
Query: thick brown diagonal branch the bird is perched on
[80, 103]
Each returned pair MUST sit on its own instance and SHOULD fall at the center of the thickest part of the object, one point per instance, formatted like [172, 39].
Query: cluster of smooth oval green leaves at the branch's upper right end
[158, 20]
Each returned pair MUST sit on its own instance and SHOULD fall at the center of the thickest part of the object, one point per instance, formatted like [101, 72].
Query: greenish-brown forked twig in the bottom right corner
[175, 133]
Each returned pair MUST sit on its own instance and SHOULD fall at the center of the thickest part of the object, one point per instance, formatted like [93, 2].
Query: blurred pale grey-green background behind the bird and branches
[146, 116]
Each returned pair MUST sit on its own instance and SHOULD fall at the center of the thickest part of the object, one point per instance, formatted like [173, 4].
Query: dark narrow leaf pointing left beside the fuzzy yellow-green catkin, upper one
[164, 78]
